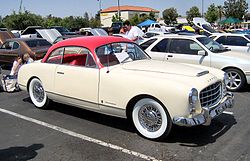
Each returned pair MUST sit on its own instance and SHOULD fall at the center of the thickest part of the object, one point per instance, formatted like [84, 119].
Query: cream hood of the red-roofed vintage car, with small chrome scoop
[165, 67]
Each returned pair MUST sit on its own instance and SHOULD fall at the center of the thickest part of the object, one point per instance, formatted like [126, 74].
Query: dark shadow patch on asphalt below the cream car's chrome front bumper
[202, 135]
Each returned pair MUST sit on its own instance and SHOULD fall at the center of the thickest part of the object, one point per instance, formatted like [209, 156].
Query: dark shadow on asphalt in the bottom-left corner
[20, 153]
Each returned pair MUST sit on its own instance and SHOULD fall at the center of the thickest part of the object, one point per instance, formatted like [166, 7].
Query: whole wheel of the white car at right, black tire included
[236, 81]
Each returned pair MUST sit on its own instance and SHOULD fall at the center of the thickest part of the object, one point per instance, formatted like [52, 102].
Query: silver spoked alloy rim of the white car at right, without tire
[234, 80]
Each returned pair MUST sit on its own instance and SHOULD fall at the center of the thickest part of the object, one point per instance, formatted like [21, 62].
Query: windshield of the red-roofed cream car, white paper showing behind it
[116, 53]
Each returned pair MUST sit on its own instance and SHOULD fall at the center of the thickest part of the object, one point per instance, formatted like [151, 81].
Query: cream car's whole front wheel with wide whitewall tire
[151, 119]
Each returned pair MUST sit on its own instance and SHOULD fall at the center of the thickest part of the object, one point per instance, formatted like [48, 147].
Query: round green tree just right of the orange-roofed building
[170, 15]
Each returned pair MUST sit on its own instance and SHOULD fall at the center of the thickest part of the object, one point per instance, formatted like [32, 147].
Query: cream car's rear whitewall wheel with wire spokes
[37, 94]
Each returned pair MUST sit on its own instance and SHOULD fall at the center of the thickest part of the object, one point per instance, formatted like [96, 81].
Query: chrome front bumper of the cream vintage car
[207, 114]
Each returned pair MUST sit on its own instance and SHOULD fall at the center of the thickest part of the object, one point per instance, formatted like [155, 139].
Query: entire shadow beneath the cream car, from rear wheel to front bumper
[185, 136]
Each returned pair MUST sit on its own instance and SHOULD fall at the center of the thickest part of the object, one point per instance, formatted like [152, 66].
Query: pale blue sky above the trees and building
[63, 8]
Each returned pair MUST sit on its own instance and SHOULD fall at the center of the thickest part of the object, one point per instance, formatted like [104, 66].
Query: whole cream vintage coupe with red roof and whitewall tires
[112, 75]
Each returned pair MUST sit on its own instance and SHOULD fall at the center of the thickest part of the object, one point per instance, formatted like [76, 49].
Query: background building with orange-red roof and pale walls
[126, 13]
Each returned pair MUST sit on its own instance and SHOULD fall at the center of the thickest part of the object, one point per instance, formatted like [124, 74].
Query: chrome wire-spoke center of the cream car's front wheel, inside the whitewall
[150, 118]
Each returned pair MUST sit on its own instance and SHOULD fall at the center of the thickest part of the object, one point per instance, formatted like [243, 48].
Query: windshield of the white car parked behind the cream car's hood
[211, 44]
